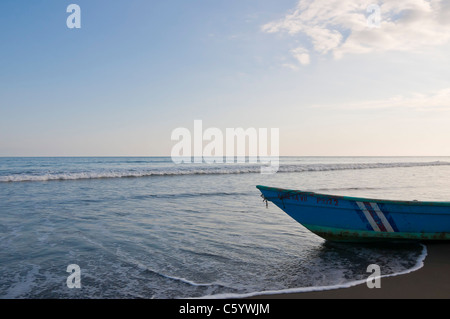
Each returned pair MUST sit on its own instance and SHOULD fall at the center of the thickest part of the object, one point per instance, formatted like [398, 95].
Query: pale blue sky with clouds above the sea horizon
[337, 77]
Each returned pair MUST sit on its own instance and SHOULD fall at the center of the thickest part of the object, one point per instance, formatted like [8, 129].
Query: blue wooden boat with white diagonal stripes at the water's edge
[352, 219]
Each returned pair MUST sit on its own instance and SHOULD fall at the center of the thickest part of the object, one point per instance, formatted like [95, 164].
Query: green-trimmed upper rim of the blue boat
[359, 199]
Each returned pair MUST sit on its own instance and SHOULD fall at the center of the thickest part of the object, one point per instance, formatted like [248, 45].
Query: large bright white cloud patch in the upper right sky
[342, 27]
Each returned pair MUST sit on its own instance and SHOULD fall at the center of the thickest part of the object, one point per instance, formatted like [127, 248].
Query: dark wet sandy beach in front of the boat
[432, 281]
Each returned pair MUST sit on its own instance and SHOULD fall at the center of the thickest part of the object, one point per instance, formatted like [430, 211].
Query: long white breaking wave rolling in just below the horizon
[211, 169]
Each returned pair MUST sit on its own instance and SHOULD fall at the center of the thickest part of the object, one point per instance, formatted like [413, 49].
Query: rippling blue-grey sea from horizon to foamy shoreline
[147, 227]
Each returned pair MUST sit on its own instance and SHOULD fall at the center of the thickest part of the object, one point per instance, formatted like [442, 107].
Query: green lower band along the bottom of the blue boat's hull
[346, 235]
